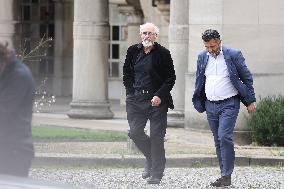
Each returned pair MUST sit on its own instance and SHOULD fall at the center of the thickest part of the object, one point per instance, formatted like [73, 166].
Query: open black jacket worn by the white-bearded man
[162, 77]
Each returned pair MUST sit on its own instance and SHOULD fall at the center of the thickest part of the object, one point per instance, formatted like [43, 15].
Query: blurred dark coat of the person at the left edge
[16, 102]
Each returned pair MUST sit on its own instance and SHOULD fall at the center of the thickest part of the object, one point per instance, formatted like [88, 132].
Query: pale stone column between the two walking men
[178, 45]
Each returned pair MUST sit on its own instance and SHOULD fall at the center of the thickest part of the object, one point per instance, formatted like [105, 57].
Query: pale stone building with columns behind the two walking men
[90, 39]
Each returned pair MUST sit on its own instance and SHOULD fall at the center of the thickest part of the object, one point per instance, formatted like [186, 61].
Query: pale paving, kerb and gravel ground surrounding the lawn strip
[56, 162]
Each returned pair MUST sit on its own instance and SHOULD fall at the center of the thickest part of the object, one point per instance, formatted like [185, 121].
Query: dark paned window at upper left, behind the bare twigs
[37, 22]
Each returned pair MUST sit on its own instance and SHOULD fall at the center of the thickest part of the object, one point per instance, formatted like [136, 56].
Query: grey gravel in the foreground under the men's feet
[175, 178]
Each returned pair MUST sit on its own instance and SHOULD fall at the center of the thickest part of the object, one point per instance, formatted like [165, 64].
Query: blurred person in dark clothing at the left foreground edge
[16, 102]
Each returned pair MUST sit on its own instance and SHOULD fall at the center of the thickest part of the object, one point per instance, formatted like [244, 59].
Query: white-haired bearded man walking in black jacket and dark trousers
[149, 76]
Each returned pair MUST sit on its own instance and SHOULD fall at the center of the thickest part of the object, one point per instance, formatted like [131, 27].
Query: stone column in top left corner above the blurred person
[7, 22]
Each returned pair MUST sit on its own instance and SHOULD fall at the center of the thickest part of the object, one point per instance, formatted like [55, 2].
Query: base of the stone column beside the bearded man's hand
[176, 118]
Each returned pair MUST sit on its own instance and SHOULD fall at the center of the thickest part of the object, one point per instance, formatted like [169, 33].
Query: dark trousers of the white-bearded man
[139, 110]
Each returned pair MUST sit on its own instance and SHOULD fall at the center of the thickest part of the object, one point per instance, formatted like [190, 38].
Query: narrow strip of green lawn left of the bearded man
[51, 133]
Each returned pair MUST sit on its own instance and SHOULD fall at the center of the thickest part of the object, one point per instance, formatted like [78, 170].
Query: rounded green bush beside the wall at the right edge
[267, 122]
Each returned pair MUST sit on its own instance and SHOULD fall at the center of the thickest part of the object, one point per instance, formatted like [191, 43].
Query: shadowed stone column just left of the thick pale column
[63, 48]
